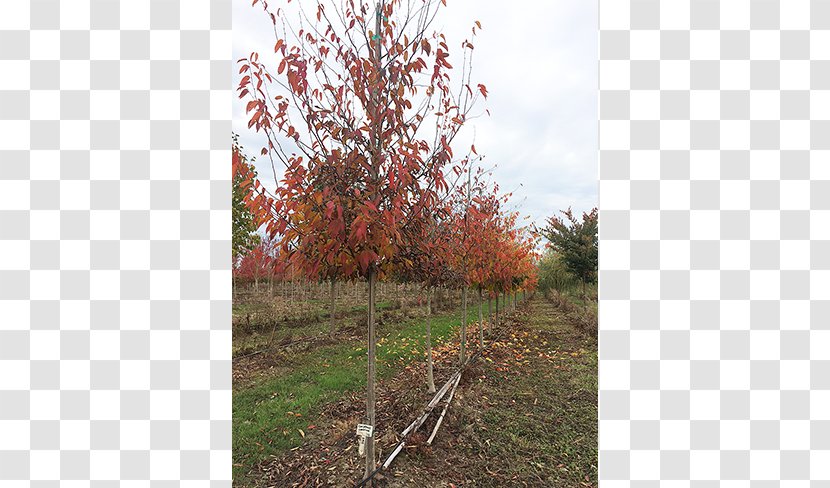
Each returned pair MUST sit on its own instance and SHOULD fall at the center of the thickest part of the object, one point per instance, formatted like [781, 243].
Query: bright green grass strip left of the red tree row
[262, 425]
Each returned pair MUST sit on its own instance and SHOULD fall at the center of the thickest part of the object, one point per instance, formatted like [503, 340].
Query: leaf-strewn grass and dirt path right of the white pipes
[529, 417]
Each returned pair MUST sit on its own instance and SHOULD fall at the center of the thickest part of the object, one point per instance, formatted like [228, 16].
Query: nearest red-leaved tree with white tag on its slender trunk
[361, 112]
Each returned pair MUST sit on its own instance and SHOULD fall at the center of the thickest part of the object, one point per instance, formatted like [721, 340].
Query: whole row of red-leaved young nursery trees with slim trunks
[361, 108]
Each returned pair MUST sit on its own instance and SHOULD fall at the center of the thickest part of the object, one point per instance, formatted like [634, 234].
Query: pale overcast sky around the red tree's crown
[538, 60]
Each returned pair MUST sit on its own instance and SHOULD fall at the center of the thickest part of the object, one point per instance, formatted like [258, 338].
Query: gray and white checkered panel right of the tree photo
[715, 243]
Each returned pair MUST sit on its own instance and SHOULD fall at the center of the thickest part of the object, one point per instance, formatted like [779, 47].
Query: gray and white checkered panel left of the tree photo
[115, 243]
